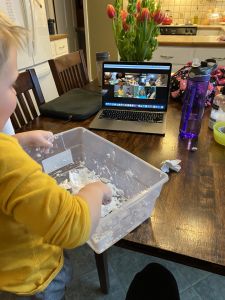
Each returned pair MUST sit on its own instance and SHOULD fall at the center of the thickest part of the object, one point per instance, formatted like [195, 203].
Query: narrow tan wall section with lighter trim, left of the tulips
[100, 33]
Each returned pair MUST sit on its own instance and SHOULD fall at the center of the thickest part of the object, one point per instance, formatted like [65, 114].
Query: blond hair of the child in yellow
[10, 34]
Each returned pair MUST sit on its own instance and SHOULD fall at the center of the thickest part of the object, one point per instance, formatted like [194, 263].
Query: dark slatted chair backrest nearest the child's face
[29, 96]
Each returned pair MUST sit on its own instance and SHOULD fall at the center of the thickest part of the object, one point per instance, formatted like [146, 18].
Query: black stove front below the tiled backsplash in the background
[178, 30]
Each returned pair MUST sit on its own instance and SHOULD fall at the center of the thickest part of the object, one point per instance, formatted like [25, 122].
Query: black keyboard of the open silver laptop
[126, 115]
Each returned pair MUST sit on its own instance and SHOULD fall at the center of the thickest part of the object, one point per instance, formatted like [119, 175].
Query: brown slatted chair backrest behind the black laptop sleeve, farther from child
[69, 71]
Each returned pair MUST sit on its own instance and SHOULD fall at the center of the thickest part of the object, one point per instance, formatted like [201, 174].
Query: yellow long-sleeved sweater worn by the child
[37, 220]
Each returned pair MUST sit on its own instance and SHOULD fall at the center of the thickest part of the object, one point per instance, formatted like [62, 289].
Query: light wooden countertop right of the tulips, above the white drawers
[192, 41]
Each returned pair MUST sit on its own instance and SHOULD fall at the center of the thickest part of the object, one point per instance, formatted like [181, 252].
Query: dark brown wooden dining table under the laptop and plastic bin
[188, 223]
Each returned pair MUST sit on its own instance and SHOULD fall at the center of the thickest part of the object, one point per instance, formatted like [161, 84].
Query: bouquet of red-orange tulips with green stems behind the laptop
[136, 29]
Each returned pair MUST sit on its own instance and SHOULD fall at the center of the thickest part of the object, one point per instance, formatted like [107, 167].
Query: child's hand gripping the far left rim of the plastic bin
[36, 138]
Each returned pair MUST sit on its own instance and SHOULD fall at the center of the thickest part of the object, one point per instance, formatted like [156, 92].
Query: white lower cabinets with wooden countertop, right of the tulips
[179, 49]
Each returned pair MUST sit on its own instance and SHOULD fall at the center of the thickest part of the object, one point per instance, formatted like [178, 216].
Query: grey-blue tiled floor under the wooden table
[123, 264]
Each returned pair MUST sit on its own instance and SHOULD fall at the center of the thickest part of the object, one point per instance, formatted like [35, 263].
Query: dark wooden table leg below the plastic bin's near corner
[103, 273]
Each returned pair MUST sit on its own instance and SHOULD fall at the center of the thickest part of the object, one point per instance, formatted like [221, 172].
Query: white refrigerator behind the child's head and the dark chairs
[31, 14]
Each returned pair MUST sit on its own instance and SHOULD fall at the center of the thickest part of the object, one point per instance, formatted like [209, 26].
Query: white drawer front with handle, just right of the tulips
[178, 56]
